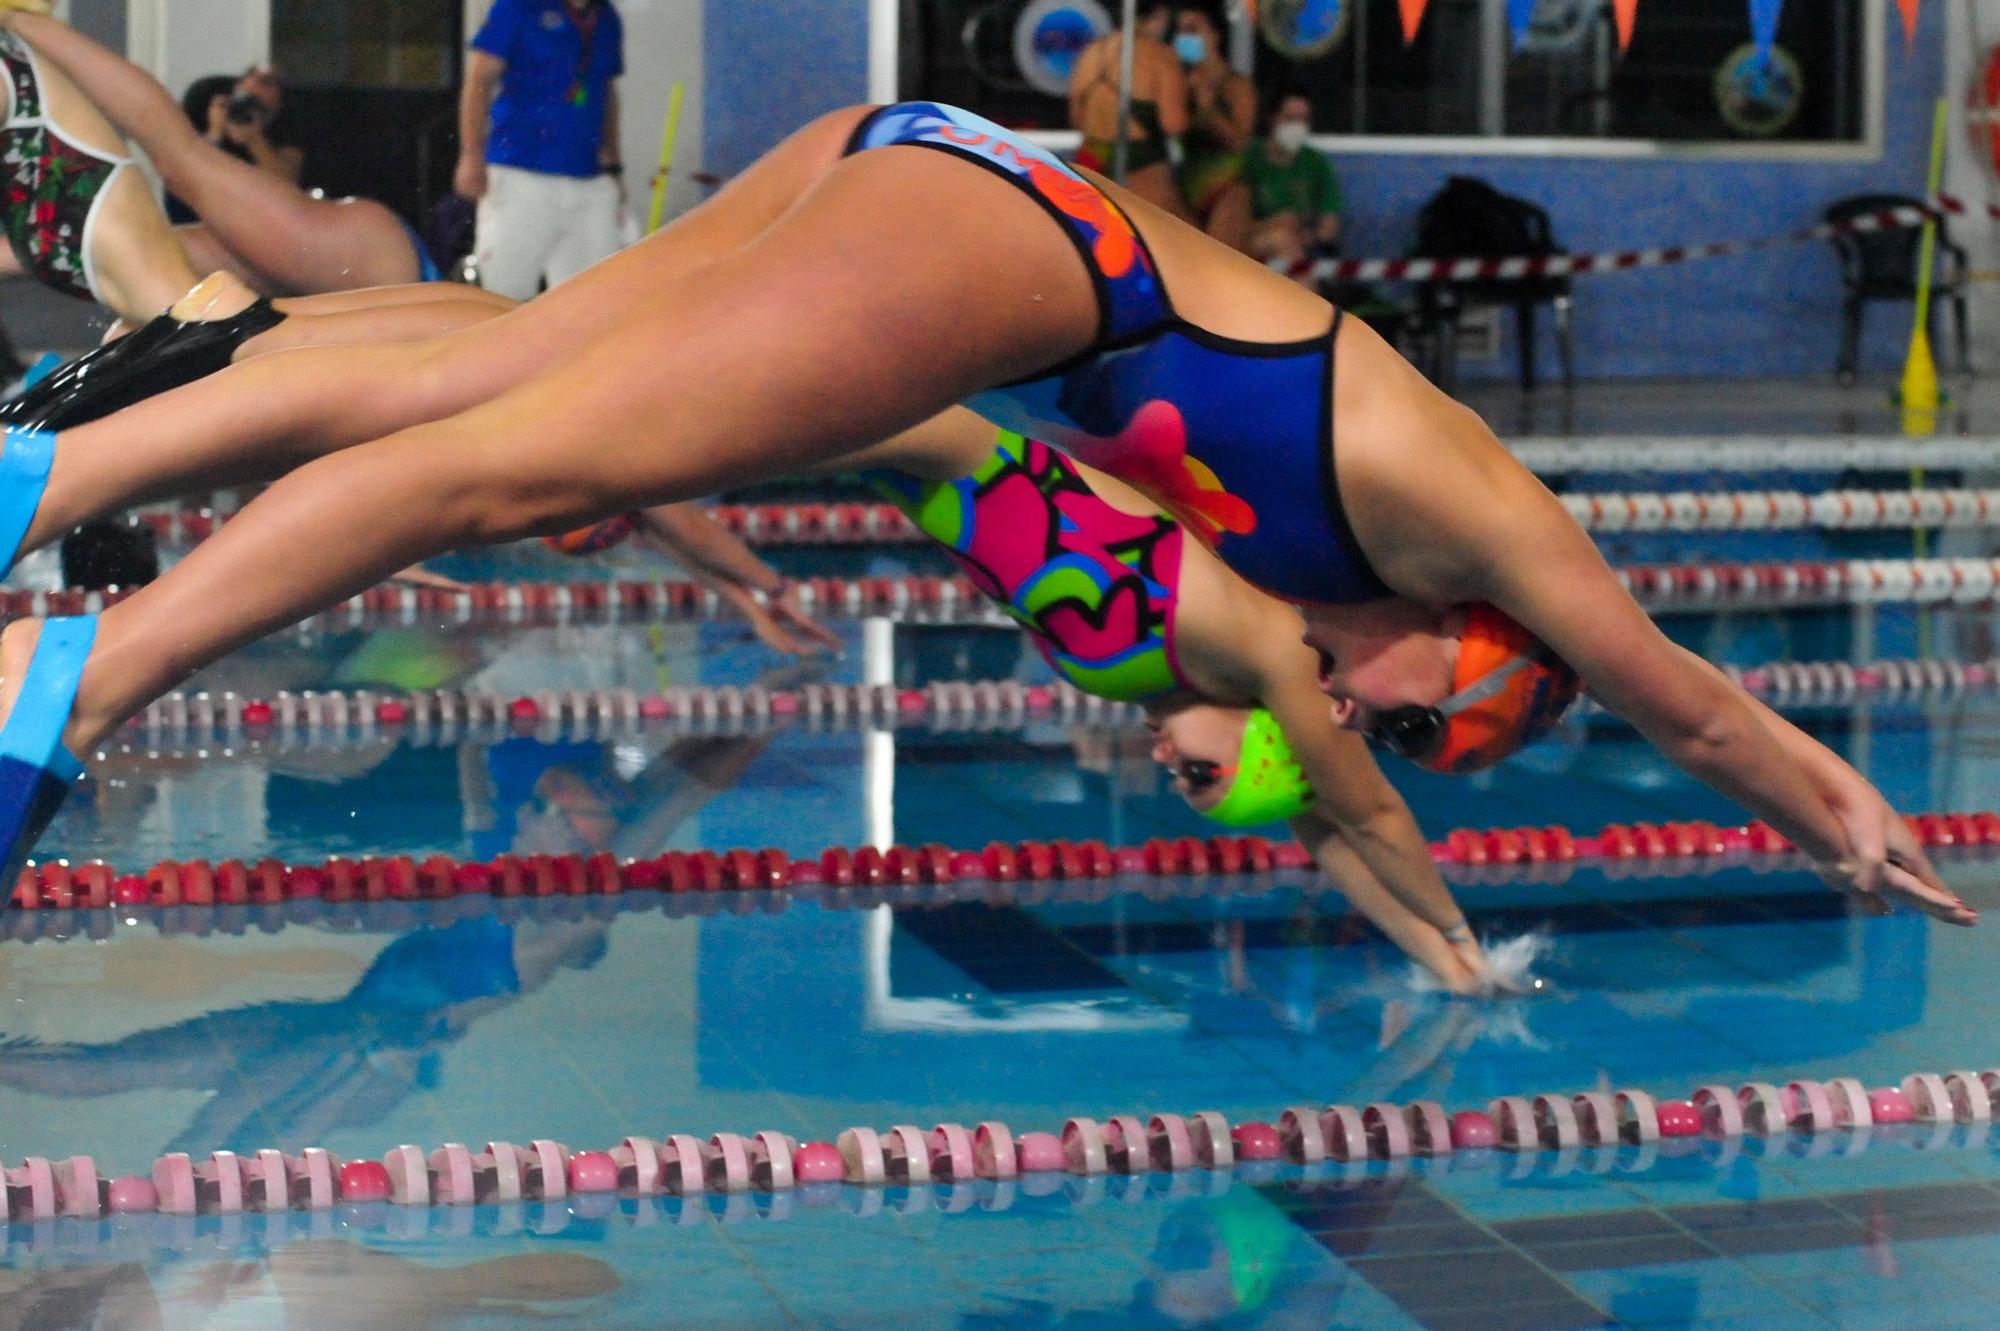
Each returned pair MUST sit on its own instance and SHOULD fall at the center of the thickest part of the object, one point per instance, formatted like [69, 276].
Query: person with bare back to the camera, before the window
[1159, 109]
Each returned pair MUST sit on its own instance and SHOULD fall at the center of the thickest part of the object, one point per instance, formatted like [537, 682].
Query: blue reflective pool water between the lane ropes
[359, 1028]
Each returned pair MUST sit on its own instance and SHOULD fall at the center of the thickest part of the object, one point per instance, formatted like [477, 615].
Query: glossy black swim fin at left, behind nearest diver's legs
[149, 361]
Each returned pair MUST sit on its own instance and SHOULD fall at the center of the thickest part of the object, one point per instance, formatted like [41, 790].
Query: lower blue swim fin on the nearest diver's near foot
[37, 772]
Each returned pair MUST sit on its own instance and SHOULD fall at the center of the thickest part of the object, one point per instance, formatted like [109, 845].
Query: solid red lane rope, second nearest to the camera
[401, 878]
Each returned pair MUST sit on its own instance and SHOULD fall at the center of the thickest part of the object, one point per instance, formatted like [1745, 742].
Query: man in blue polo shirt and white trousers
[543, 157]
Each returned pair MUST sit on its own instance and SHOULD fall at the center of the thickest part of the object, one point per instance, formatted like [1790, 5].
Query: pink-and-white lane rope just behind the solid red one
[329, 718]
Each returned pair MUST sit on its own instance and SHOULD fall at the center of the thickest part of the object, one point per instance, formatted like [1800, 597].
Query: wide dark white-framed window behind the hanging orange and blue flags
[1691, 79]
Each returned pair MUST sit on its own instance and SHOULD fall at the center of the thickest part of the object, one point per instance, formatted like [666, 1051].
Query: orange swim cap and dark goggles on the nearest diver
[1507, 692]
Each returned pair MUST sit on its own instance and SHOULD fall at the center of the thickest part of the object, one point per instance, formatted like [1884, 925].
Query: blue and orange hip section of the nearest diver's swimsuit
[1131, 299]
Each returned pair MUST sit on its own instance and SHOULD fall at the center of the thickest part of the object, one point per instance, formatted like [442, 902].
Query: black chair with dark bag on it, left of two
[1469, 219]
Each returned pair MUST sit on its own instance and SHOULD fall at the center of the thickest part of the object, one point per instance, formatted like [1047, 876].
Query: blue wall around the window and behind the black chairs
[1759, 315]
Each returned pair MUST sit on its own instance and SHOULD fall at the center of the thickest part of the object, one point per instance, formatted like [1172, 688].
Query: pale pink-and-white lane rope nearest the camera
[989, 1152]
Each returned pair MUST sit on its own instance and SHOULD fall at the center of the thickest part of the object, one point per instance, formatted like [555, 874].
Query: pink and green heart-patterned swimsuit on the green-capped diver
[1093, 585]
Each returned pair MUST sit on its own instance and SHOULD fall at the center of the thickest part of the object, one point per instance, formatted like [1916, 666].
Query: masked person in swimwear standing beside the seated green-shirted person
[1223, 107]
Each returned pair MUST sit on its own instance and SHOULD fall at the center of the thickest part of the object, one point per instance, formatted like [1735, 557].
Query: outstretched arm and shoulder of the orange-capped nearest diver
[1475, 527]
